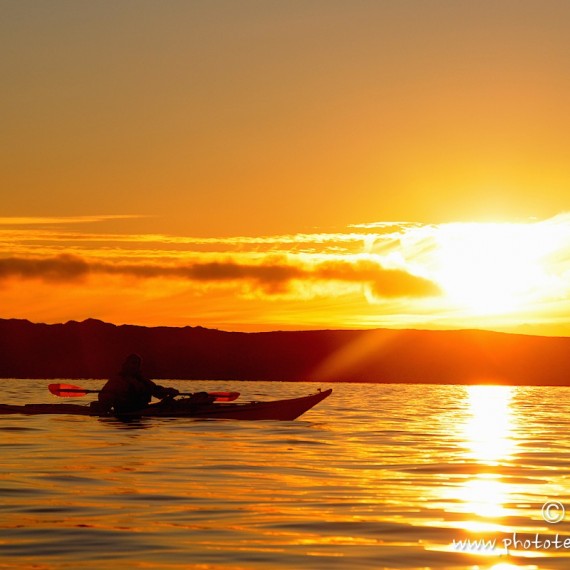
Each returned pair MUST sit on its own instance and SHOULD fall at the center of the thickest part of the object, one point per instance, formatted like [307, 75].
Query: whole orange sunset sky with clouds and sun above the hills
[258, 165]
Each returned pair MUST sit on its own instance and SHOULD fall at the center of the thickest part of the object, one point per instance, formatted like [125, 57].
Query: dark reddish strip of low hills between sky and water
[94, 349]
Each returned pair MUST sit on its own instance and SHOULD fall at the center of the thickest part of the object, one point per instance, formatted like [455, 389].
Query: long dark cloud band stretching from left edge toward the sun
[274, 274]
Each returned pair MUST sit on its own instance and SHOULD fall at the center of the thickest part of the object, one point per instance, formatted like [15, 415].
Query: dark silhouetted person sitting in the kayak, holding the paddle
[129, 390]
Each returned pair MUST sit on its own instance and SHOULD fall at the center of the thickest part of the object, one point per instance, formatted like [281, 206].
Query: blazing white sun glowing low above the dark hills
[491, 269]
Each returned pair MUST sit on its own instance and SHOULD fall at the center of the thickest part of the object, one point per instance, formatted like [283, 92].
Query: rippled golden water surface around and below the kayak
[377, 476]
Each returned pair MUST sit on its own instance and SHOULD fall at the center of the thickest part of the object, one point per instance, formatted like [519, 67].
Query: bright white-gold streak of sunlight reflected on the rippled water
[492, 497]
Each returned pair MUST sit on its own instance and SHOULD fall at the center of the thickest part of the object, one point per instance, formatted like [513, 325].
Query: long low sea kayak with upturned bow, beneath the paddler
[183, 408]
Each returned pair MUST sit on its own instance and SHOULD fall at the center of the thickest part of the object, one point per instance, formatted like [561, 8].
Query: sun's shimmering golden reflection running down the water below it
[492, 501]
